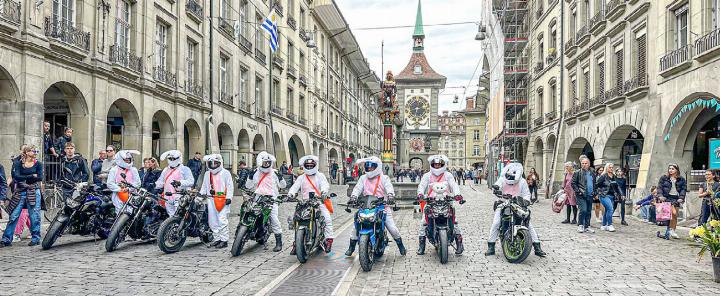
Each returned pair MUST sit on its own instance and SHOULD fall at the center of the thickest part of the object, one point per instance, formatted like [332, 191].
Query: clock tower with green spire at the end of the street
[418, 88]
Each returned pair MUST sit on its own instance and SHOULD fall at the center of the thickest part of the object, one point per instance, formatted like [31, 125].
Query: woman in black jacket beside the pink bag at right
[673, 189]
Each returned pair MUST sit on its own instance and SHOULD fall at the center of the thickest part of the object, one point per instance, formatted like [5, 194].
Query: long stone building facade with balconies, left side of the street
[137, 74]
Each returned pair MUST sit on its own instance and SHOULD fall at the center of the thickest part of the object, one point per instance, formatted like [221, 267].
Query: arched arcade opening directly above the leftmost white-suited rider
[124, 129]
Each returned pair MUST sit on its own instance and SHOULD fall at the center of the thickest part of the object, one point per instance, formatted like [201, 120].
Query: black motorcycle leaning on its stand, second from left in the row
[140, 217]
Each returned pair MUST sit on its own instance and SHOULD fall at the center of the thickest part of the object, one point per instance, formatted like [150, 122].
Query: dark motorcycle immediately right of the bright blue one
[440, 230]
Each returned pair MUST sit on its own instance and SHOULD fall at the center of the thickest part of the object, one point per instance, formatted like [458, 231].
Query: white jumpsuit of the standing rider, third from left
[218, 221]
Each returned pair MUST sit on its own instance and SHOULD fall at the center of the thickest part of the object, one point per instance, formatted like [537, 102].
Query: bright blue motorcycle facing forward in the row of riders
[370, 227]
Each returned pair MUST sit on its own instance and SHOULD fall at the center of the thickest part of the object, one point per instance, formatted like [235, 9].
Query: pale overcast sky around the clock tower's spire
[451, 50]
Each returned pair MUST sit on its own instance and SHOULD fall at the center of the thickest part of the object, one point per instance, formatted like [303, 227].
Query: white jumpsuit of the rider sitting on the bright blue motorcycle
[366, 186]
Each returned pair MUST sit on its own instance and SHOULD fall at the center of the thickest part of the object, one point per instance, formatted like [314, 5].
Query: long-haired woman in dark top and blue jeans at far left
[27, 173]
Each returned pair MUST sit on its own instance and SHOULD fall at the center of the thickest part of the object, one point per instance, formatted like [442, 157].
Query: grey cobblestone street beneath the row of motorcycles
[621, 263]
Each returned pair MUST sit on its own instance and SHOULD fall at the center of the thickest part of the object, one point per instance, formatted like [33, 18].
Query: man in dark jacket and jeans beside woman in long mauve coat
[583, 183]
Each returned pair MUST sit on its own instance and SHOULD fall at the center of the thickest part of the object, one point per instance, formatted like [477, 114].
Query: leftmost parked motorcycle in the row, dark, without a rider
[87, 212]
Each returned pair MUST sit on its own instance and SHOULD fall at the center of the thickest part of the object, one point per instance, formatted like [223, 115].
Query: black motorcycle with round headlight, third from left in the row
[190, 219]
